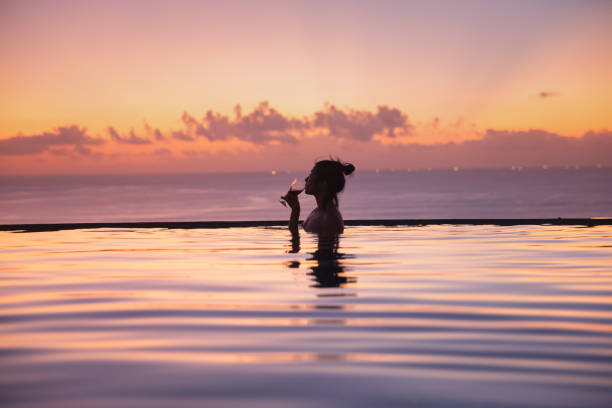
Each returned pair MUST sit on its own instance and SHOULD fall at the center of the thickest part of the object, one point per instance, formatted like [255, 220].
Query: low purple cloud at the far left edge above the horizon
[65, 136]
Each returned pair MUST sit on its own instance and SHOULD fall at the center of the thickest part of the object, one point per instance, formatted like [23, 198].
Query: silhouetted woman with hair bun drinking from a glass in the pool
[325, 181]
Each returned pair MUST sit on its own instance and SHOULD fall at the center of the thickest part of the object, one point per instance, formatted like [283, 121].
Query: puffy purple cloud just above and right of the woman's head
[362, 125]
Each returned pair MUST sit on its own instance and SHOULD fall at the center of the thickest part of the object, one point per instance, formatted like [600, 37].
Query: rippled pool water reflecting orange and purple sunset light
[457, 316]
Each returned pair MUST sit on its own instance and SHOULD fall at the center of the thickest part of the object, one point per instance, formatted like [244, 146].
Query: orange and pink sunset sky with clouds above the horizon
[190, 86]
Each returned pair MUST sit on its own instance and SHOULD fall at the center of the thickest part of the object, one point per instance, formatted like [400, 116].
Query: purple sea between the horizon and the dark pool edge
[530, 193]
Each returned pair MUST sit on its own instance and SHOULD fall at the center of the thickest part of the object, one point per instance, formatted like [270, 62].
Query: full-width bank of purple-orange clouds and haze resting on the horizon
[266, 139]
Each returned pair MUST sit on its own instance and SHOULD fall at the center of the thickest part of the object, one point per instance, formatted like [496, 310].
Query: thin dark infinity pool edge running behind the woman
[589, 222]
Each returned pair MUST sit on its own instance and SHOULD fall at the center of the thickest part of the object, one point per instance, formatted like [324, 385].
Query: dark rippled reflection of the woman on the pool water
[328, 270]
